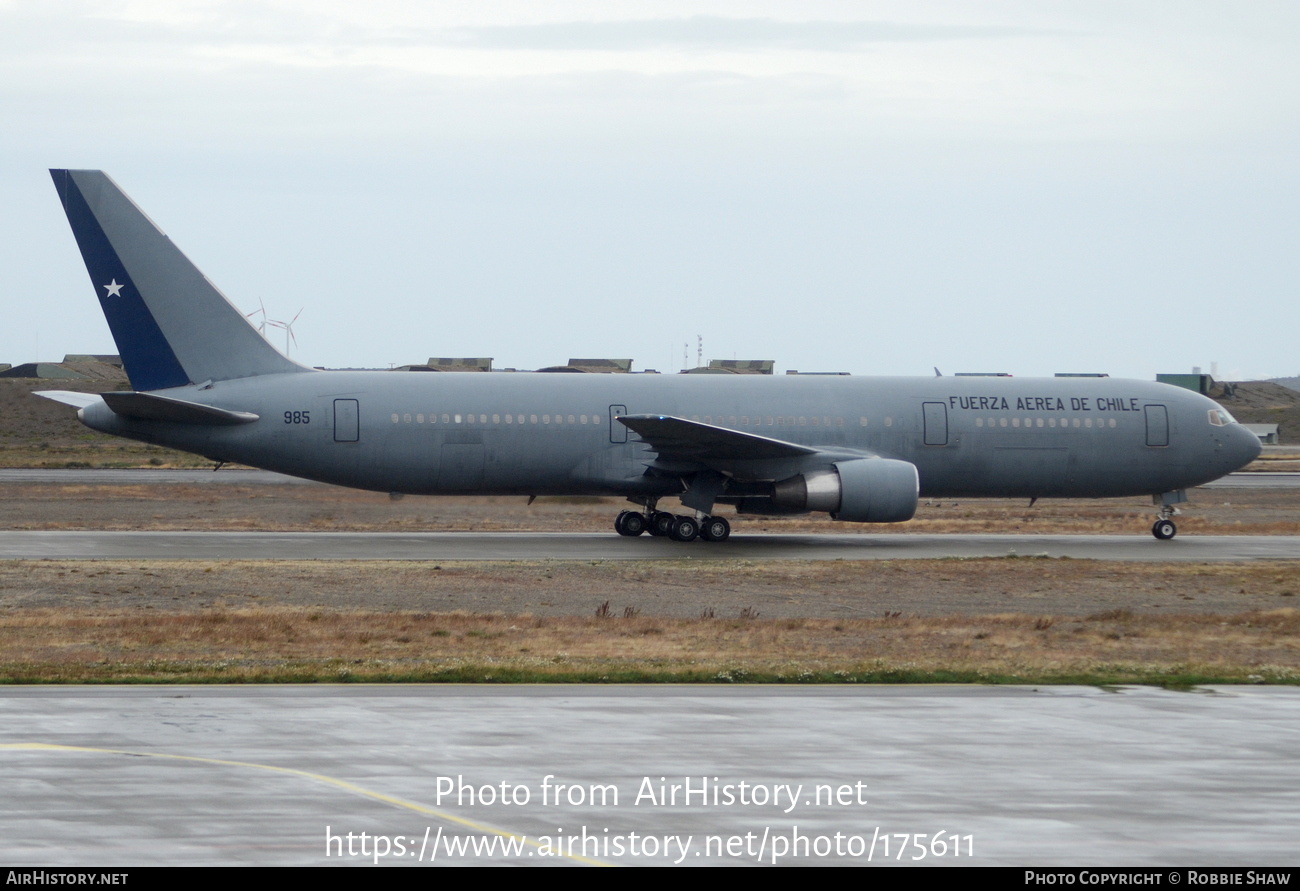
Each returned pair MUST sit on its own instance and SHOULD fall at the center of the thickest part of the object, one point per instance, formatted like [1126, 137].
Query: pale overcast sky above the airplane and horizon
[878, 188]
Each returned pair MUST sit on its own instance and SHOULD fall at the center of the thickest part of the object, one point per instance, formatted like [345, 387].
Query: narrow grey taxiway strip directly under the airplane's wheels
[609, 547]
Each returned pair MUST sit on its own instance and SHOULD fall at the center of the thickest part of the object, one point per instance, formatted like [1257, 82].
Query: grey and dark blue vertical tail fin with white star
[171, 325]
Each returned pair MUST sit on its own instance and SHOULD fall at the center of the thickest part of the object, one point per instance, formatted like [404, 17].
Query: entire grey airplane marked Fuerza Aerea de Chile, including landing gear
[863, 449]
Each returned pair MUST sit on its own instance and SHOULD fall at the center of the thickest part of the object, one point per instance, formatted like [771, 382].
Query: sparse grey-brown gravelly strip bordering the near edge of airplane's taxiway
[679, 589]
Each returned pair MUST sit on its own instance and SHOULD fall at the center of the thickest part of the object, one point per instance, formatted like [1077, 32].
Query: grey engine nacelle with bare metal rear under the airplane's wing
[860, 491]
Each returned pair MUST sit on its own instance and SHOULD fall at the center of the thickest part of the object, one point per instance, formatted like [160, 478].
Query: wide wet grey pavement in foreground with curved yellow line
[112, 777]
